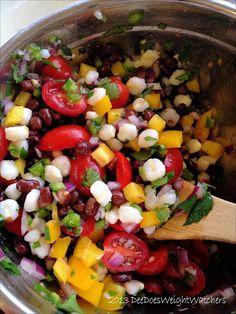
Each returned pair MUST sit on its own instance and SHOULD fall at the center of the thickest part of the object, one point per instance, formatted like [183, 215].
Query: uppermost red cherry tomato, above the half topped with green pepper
[61, 69]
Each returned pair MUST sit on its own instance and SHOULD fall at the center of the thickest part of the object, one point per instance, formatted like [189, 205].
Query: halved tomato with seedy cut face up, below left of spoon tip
[114, 237]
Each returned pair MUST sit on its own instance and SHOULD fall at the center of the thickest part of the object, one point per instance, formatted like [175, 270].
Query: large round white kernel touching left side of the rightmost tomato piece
[153, 169]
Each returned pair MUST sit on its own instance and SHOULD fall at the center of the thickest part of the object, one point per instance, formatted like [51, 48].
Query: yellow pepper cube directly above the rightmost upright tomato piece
[171, 138]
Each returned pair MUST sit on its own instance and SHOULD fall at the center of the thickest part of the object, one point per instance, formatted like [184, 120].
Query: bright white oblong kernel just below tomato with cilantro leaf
[101, 192]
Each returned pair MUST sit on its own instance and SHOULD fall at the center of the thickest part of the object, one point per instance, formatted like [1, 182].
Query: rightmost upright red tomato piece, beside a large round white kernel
[173, 162]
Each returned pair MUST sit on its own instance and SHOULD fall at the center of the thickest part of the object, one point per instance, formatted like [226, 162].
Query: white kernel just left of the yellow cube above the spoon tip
[129, 214]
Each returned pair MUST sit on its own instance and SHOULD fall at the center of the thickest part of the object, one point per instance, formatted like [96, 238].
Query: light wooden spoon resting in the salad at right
[218, 225]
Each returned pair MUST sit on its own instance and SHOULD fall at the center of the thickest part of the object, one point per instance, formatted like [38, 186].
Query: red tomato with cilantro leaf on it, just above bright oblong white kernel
[78, 170]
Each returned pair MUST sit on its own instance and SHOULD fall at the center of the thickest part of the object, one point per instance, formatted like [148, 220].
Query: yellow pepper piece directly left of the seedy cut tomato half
[86, 251]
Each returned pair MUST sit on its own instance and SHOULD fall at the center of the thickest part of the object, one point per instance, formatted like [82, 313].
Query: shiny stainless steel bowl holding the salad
[211, 25]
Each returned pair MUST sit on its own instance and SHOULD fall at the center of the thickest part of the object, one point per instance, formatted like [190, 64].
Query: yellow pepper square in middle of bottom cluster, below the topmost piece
[81, 276]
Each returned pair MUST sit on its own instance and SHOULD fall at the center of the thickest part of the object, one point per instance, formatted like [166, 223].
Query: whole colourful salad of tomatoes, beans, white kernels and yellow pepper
[98, 149]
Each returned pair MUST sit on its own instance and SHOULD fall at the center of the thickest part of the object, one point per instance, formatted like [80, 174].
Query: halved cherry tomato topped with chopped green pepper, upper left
[56, 98]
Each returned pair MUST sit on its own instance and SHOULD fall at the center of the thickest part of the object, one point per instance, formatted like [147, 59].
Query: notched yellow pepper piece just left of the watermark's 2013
[93, 294]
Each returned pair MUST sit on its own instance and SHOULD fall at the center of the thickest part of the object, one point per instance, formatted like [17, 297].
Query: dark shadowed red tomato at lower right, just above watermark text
[190, 285]
